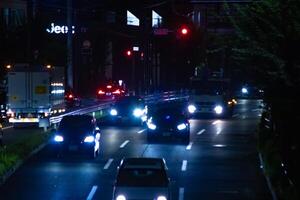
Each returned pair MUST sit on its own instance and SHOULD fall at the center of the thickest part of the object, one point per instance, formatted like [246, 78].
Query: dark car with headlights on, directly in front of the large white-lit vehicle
[168, 121]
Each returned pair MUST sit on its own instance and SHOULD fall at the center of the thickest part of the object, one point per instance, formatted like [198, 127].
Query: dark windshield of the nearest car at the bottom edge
[134, 177]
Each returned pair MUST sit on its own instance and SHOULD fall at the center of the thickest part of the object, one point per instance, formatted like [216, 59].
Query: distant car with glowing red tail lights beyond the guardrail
[110, 91]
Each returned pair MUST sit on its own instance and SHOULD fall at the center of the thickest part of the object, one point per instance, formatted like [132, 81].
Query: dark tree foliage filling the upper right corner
[268, 38]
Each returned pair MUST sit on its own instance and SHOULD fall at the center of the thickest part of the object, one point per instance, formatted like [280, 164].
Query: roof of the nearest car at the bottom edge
[143, 163]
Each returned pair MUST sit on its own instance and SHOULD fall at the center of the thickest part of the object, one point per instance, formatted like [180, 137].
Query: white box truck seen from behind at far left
[30, 95]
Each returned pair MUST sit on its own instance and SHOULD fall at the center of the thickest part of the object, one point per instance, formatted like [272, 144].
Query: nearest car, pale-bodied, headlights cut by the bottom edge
[142, 178]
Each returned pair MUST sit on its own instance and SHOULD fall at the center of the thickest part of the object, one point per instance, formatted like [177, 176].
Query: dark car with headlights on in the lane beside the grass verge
[77, 134]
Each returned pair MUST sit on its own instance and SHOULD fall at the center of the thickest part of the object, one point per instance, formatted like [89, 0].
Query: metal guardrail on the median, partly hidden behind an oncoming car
[149, 99]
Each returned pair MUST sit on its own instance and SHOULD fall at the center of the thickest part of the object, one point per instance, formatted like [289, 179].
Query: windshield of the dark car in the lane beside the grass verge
[76, 124]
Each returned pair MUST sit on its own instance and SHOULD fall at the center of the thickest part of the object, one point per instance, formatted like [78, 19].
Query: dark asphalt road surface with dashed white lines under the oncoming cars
[221, 162]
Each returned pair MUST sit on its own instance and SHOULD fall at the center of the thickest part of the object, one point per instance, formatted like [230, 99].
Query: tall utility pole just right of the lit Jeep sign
[69, 46]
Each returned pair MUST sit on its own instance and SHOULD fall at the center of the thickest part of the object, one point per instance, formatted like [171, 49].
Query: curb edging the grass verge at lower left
[11, 171]
